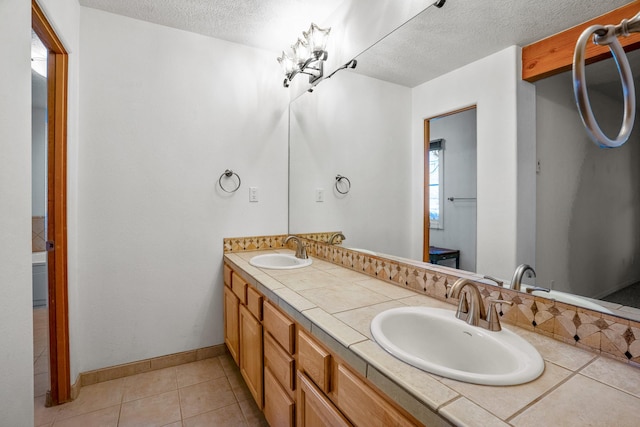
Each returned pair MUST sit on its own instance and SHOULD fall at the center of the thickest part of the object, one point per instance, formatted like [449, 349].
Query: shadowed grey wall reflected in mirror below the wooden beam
[588, 205]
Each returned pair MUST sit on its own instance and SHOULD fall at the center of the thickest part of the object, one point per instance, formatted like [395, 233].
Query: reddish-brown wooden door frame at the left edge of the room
[57, 85]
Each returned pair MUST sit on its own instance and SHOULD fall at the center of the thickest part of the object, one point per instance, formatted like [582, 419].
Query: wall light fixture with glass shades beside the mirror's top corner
[308, 55]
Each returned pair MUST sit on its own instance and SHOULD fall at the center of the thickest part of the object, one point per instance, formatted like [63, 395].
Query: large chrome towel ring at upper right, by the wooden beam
[606, 36]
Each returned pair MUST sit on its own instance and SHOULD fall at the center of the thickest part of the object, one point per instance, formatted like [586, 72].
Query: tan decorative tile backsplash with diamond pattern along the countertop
[603, 333]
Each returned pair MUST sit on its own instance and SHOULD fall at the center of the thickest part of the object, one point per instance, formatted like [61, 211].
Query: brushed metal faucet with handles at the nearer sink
[472, 311]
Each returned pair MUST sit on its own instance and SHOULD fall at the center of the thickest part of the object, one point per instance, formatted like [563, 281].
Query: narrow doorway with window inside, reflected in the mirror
[450, 190]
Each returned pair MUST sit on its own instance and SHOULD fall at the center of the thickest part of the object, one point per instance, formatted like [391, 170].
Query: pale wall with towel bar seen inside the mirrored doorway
[460, 171]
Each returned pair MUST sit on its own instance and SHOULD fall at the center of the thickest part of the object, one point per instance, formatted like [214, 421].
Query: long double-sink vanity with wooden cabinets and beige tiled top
[326, 341]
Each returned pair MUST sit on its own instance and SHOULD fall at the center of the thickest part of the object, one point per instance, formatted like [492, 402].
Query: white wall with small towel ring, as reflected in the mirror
[358, 127]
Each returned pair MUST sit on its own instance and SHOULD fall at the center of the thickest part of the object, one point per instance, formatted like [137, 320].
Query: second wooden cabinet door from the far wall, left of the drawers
[251, 353]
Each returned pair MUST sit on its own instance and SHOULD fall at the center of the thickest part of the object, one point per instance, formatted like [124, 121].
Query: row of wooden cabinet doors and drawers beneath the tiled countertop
[295, 379]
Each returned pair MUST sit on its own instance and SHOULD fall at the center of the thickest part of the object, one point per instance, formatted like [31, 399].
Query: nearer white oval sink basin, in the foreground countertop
[436, 341]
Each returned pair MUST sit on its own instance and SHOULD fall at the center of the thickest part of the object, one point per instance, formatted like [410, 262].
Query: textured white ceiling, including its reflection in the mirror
[434, 43]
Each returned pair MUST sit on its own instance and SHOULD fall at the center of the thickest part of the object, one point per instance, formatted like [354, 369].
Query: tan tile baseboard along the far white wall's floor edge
[147, 365]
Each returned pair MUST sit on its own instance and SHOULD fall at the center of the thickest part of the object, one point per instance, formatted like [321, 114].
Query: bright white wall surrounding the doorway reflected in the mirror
[492, 84]
